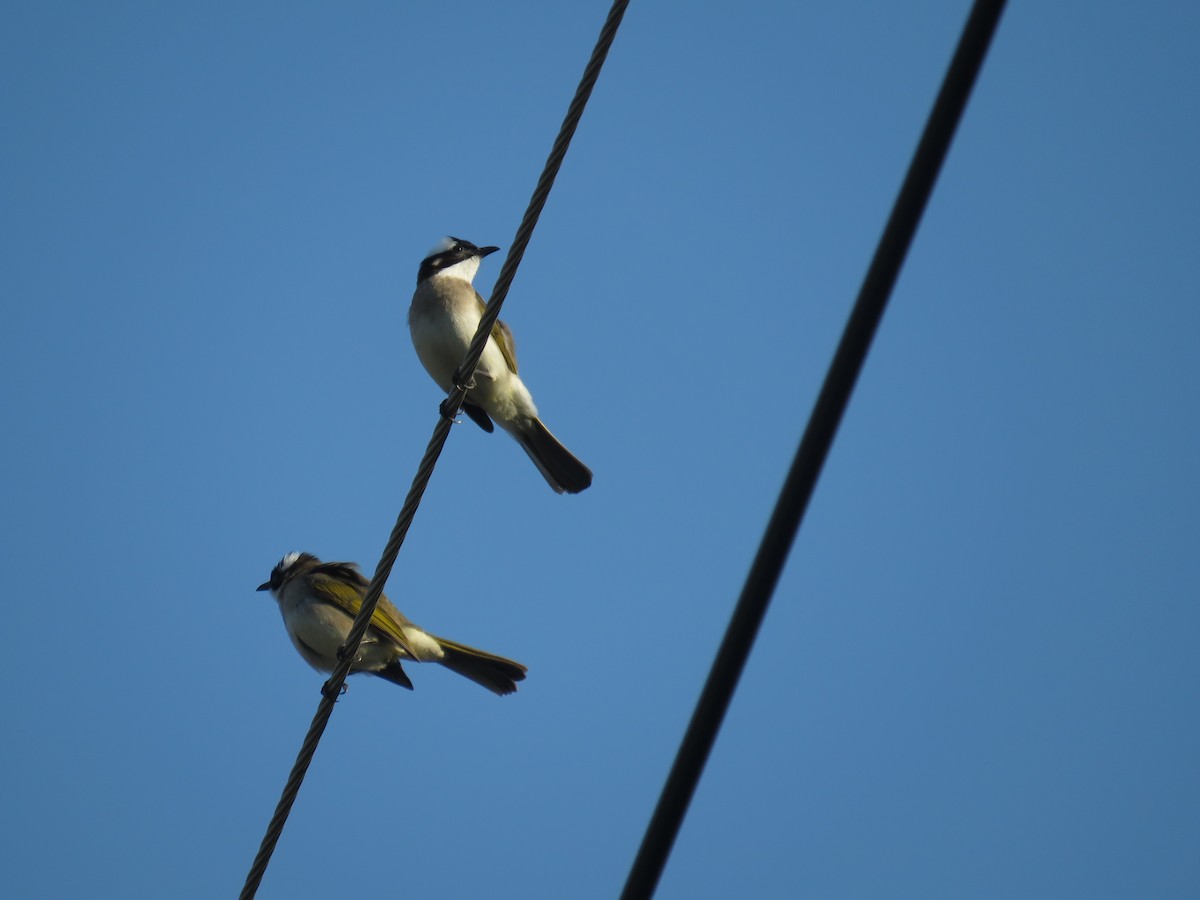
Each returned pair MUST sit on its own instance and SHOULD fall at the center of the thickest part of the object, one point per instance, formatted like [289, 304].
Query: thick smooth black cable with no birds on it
[839, 385]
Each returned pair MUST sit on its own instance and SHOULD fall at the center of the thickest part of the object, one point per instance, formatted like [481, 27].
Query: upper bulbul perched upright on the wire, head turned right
[443, 319]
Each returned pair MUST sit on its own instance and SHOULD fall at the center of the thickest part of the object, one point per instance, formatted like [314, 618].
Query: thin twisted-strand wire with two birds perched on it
[451, 407]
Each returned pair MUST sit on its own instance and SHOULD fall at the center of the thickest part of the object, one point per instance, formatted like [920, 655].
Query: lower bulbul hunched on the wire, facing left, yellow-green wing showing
[320, 602]
